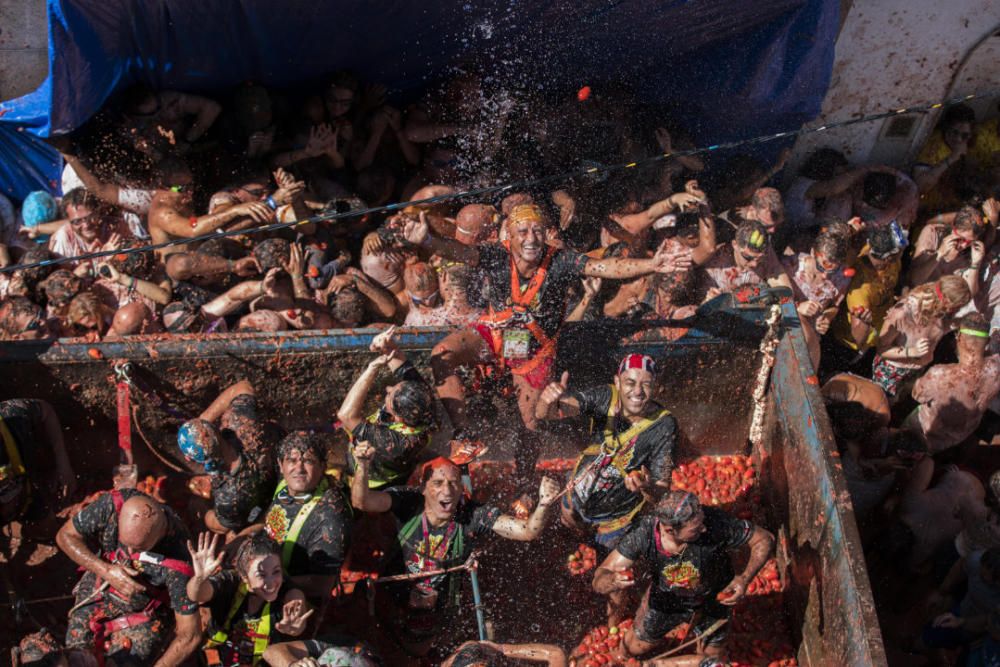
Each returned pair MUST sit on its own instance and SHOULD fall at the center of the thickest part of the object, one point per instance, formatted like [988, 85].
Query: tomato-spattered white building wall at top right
[895, 53]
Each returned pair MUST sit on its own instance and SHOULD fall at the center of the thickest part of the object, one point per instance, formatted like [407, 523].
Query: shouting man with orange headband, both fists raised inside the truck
[437, 528]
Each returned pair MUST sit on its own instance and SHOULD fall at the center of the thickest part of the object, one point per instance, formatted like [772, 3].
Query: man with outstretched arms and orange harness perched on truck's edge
[528, 285]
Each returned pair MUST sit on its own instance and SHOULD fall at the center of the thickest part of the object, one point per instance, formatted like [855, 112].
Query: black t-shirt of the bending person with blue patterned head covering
[240, 497]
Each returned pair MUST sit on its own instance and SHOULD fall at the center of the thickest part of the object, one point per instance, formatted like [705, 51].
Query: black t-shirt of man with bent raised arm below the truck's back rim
[396, 452]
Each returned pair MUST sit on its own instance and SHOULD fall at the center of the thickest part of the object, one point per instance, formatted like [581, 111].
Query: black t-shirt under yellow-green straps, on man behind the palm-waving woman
[322, 543]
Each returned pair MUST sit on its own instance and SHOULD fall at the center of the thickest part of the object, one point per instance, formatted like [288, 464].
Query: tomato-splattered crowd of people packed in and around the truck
[894, 274]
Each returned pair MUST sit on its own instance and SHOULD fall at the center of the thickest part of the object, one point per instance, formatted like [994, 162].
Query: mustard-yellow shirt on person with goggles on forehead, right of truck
[869, 289]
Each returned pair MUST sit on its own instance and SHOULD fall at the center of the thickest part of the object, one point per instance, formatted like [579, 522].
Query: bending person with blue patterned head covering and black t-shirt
[236, 455]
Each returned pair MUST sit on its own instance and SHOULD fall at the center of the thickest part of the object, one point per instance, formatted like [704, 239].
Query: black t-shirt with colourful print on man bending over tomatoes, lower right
[689, 579]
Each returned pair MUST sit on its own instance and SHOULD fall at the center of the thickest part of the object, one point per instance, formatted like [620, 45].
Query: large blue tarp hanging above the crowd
[738, 67]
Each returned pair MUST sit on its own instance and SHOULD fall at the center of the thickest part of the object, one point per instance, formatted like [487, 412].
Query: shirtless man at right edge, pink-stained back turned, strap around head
[954, 397]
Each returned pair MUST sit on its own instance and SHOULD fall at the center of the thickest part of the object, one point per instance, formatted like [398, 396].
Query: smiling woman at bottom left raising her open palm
[246, 615]
